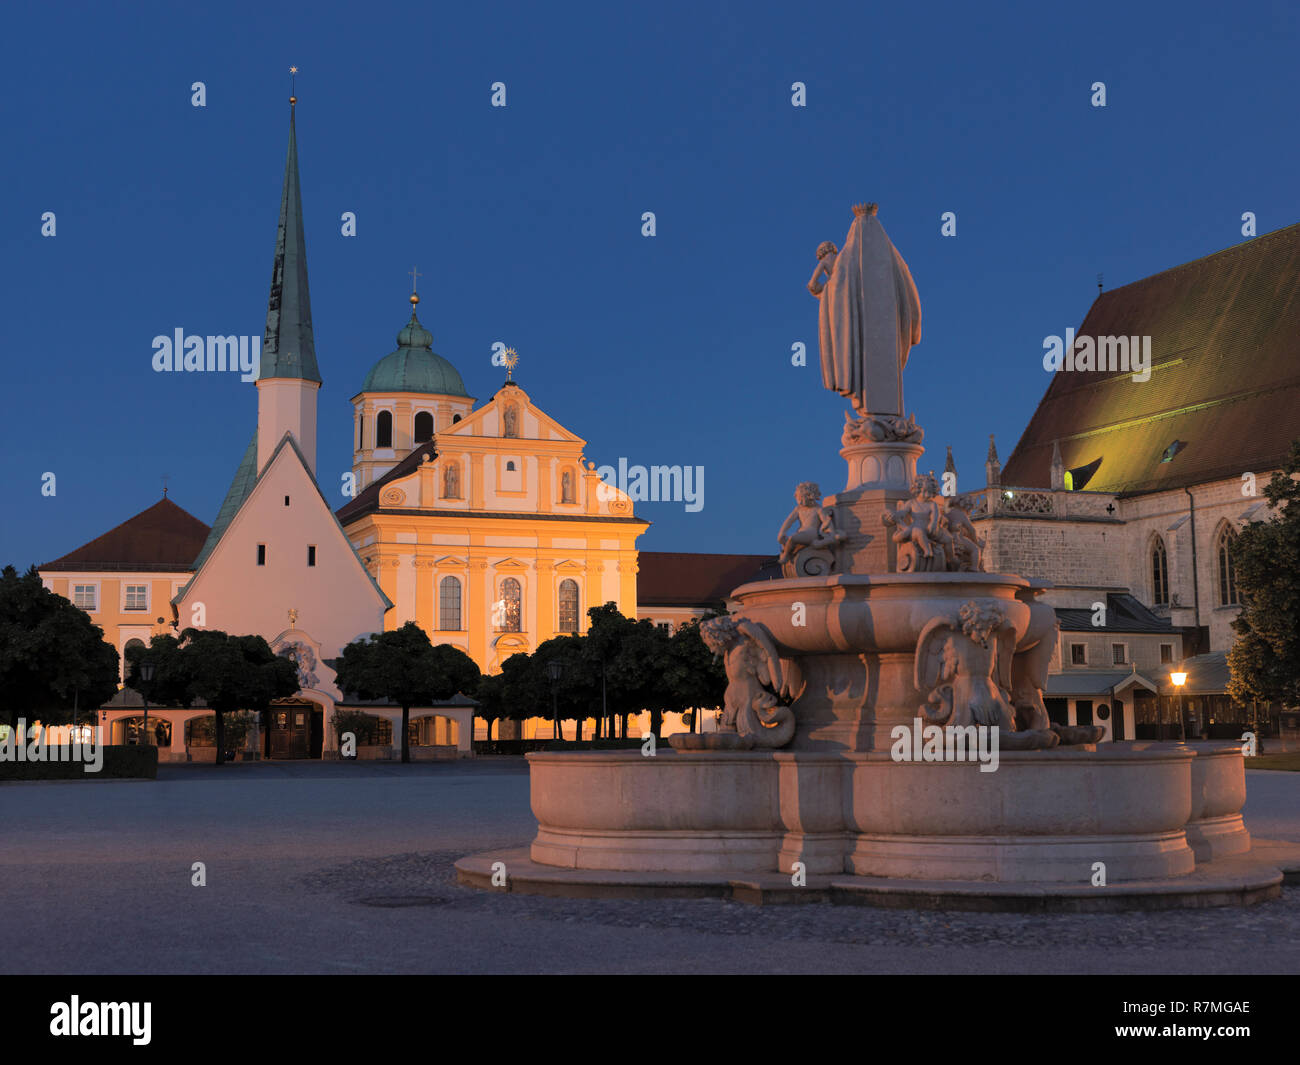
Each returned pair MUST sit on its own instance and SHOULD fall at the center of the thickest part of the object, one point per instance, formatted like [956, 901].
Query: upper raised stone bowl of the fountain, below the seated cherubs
[885, 614]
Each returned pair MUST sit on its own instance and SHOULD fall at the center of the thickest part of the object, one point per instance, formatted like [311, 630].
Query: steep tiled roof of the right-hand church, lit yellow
[1225, 383]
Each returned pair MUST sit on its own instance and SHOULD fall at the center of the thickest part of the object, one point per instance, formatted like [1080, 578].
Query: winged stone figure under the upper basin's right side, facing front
[964, 664]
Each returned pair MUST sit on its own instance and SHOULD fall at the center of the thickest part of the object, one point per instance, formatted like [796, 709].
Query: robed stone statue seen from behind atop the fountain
[870, 317]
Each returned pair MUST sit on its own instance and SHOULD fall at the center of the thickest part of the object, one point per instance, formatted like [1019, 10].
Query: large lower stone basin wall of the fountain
[1046, 816]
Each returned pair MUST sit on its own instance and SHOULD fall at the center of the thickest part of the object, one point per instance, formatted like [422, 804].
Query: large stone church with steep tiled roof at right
[1126, 493]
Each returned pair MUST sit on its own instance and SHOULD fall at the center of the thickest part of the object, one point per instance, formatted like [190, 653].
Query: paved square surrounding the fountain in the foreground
[332, 868]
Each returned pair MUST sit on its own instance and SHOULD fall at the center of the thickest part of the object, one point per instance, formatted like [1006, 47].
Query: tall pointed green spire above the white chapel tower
[289, 349]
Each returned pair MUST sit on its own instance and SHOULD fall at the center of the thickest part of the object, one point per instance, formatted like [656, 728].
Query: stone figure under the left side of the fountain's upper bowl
[751, 707]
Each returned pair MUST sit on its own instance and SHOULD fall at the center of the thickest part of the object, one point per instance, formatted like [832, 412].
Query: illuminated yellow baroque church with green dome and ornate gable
[486, 526]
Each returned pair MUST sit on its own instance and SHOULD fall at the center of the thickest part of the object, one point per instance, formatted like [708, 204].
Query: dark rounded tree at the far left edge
[53, 657]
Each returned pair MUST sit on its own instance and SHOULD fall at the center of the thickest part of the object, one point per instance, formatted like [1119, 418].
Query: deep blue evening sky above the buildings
[526, 222]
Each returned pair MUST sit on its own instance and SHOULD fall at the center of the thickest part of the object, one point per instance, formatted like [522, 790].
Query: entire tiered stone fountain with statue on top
[885, 737]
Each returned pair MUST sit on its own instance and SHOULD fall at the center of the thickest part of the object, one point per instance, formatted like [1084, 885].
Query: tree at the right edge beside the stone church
[1266, 660]
